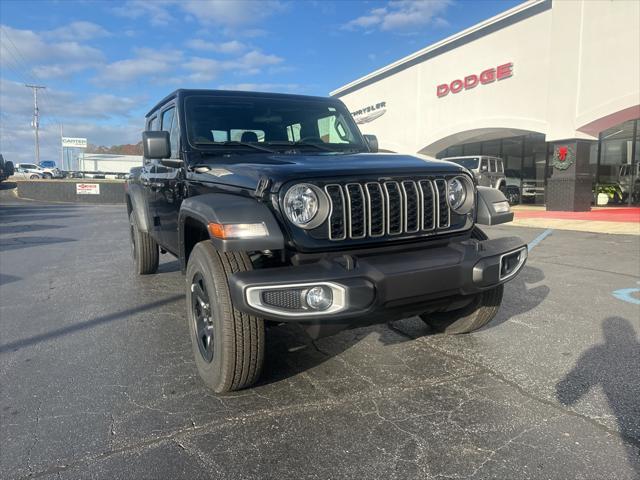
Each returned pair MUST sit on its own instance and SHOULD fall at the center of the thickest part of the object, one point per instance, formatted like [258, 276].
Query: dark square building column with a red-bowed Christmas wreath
[569, 187]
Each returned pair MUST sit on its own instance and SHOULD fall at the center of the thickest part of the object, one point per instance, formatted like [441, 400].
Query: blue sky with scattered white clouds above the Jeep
[105, 63]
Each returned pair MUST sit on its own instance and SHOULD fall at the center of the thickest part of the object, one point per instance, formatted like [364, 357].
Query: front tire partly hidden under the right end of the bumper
[480, 311]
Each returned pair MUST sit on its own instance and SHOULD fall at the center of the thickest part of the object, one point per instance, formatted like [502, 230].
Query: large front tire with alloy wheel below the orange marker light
[228, 345]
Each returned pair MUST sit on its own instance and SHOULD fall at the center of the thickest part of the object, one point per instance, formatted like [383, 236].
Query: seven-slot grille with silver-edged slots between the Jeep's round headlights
[375, 209]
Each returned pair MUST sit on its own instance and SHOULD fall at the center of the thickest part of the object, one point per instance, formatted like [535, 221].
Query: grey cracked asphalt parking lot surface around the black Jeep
[98, 380]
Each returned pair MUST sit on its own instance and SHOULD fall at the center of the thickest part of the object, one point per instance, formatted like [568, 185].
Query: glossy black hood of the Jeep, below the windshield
[245, 170]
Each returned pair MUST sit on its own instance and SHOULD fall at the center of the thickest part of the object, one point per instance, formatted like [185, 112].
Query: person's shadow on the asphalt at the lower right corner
[614, 367]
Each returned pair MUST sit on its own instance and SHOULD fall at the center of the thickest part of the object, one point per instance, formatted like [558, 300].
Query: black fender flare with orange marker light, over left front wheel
[225, 208]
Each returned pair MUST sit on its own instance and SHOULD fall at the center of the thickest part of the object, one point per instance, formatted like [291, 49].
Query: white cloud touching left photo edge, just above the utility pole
[20, 49]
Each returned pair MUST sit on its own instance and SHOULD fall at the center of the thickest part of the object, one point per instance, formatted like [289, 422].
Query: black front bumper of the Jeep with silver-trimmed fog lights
[370, 285]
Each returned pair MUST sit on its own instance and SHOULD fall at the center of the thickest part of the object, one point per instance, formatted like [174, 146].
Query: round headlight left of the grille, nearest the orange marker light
[302, 205]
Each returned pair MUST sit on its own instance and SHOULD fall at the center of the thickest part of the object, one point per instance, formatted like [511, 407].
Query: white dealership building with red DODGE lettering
[551, 86]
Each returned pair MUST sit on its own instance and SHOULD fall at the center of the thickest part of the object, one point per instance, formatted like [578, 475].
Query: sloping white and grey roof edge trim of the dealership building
[502, 20]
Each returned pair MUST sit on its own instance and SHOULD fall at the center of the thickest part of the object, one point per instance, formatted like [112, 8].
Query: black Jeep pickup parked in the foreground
[280, 210]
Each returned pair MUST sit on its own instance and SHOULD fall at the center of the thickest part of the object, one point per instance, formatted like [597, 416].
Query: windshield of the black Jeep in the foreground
[214, 122]
